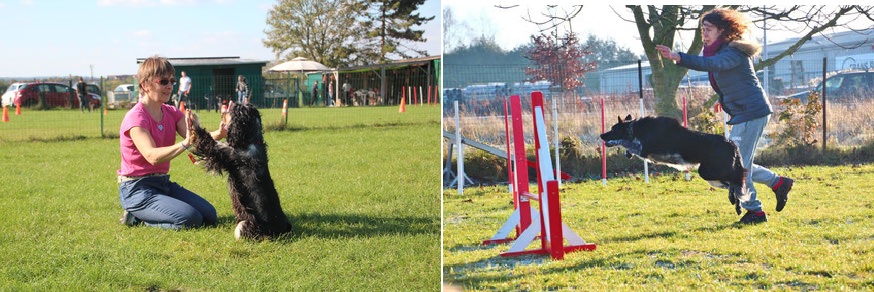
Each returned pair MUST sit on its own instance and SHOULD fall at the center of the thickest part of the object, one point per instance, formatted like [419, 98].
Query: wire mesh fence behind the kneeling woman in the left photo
[417, 83]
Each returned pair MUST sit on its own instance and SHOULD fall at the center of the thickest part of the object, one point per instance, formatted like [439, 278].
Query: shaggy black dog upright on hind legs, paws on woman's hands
[244, 159]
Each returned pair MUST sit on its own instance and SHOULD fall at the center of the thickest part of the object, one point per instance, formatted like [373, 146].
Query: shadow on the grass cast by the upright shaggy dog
[335, 226]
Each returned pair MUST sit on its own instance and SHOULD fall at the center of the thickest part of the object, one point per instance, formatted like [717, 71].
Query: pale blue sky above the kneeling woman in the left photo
[60, 38]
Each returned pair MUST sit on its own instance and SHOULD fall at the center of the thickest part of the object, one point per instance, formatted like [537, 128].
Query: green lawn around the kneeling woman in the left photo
[361, 187]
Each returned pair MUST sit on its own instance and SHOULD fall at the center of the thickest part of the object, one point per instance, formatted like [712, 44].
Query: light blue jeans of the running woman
[747, 135]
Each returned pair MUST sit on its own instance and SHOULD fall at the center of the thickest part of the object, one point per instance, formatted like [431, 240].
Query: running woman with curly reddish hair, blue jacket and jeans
[728, 59]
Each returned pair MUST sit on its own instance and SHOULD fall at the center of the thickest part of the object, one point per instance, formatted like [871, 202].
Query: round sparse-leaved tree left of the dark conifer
[321, 30]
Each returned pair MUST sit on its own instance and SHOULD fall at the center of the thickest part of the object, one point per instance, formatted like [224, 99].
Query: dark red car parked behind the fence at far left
[56, 95]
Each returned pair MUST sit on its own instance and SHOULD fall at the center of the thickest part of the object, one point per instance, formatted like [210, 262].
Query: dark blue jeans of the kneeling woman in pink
[158, 202]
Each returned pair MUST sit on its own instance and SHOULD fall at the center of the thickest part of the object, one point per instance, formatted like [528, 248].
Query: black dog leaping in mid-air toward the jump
[664, 141]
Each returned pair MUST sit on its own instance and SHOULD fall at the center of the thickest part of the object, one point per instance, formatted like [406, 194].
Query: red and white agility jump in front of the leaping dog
[527, 221]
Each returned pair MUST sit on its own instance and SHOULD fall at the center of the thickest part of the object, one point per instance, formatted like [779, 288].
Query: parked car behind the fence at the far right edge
[842, 86]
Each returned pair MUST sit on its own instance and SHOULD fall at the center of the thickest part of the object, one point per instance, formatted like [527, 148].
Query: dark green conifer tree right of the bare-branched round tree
[390, 24]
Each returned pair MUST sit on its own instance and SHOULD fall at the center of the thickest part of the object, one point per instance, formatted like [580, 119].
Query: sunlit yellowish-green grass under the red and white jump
[673, 235]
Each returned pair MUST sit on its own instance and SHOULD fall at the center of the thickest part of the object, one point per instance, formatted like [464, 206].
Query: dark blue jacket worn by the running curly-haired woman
[740, 92]
